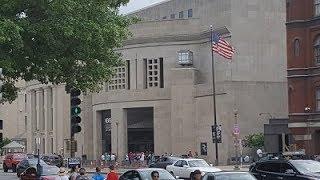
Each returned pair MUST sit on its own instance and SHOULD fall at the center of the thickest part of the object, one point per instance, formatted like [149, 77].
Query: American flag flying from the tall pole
[222, 47]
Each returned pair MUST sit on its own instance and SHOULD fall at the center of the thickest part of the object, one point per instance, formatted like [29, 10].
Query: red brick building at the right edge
[303, 53]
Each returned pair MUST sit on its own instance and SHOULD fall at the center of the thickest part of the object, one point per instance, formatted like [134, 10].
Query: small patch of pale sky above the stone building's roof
[137, 4]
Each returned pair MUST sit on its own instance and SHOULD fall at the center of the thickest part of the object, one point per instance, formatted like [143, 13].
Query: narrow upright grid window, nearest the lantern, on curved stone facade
[153, 73]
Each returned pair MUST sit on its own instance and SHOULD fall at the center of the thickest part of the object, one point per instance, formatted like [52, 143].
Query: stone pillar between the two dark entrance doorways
[119, 132]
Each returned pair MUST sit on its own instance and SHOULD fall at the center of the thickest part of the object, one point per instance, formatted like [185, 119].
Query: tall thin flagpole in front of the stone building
[214, 98]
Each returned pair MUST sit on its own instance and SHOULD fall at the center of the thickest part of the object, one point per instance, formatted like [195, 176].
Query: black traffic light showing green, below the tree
[75, 101]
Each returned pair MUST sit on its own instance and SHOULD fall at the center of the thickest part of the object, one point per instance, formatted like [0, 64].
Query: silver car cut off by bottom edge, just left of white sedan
[145, 174]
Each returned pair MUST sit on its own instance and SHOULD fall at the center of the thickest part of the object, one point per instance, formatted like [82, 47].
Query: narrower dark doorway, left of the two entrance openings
[106, 131]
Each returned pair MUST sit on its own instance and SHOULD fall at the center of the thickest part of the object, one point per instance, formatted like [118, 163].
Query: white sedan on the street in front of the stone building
[185, 167]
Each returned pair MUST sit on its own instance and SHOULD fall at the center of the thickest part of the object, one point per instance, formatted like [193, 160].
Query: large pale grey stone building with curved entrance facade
[160, 100]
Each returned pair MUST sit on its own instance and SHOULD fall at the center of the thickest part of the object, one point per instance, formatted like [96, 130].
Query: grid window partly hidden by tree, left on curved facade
[118, 81]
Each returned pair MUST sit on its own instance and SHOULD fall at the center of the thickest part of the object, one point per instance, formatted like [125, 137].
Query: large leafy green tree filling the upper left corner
[60, 41]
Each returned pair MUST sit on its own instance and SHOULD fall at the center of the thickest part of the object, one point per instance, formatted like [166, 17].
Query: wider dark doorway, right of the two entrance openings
[140, 129]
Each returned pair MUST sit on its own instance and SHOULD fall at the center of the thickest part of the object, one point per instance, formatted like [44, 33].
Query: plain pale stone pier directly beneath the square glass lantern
[183, 107]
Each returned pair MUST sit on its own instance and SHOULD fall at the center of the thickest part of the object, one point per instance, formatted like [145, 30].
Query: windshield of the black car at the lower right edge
[306, 166]
